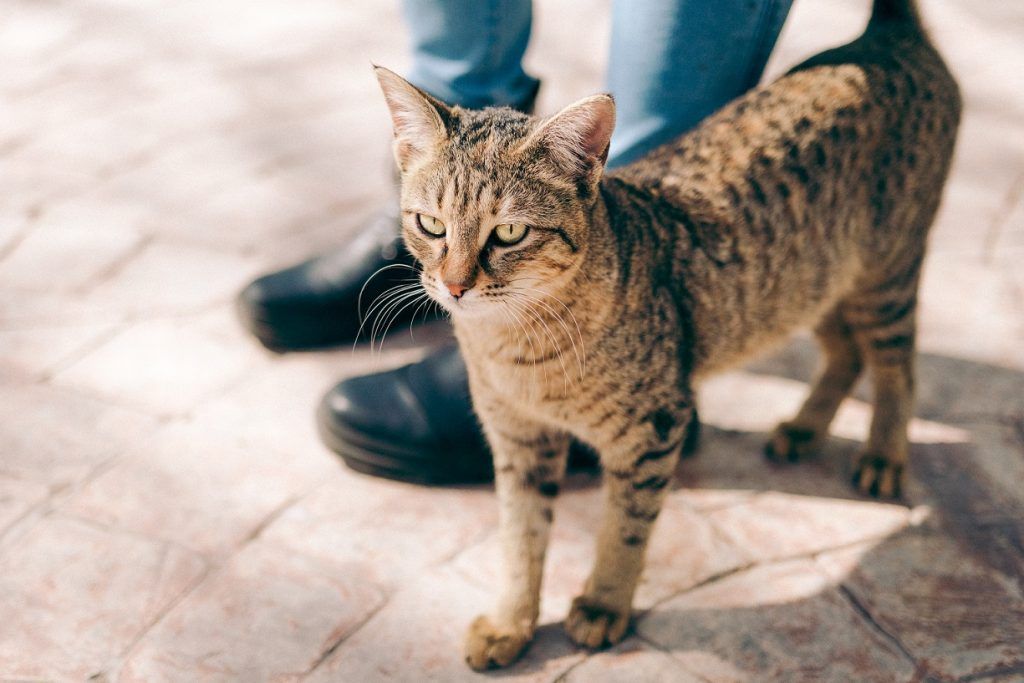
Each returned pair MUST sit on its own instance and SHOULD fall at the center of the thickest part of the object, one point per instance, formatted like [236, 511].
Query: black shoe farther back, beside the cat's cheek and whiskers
[317, 304]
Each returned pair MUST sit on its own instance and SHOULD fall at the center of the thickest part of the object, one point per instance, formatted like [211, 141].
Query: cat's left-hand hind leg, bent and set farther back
[804, 435]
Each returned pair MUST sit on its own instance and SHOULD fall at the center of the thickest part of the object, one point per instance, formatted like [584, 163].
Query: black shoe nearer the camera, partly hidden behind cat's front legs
[417, 424]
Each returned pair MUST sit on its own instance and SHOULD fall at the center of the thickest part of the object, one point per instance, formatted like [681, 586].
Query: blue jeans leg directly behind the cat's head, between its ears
[470, 53]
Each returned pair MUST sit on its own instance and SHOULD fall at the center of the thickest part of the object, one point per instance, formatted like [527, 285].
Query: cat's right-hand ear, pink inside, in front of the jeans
[577, 139]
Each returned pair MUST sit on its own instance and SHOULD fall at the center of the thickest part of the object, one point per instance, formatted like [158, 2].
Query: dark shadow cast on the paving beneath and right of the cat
[860, 624]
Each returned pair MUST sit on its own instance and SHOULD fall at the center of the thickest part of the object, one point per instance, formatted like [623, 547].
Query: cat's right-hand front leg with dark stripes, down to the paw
[637, 473]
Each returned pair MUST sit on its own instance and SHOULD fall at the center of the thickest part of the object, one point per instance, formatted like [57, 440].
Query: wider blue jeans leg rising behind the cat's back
[674, 62]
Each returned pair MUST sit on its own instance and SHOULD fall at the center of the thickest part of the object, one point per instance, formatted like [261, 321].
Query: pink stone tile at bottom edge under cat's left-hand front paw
[419, 637]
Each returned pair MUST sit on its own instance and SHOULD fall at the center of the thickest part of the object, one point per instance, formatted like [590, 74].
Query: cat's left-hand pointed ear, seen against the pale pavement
[417, 118]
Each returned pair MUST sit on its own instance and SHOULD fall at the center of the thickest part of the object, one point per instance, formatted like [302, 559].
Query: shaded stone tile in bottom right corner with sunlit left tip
[953, 613]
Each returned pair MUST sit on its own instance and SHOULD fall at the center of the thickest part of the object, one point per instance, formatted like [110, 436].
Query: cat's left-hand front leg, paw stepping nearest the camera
[530, 463]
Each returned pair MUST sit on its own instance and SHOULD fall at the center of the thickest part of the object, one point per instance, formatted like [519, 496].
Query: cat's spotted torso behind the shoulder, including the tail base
[798, 193]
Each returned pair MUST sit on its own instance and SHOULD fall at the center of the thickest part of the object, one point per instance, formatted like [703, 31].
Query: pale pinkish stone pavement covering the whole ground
[167, 514]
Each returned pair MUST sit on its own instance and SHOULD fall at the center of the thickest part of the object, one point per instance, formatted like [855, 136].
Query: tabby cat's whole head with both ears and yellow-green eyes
[495, 203]
